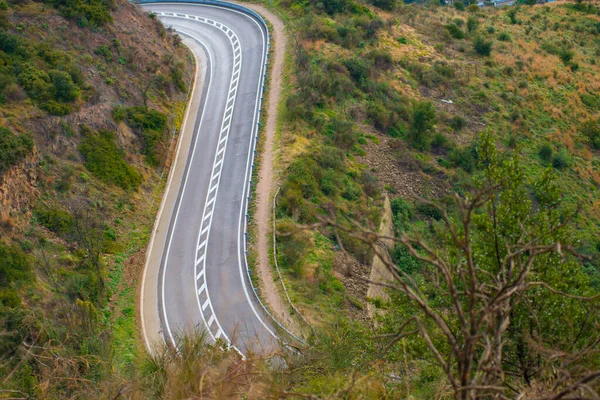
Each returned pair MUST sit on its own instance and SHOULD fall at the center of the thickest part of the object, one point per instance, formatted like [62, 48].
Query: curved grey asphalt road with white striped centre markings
[196, 274]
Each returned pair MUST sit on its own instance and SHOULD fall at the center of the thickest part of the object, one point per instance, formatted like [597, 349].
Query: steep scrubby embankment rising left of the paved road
[91, 97]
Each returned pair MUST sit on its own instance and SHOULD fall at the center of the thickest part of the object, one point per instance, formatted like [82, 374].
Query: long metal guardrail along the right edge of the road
[254, 14]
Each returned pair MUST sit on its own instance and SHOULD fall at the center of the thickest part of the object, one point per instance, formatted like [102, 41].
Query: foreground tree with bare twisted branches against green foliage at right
[488, 264]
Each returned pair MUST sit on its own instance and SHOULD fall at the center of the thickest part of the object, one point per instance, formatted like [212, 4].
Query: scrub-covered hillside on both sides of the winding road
[480, 125]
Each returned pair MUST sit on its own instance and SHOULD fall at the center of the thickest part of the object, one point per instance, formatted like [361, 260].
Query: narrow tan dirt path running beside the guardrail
[264, 189]
